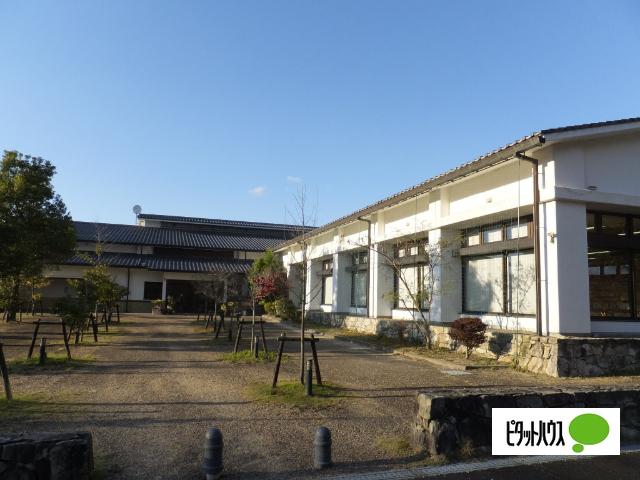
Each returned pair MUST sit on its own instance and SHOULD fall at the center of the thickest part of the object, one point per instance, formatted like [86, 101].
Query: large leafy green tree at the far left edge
[35, 227]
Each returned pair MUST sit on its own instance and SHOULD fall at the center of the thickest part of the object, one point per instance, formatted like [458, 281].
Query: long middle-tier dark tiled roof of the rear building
[167, 237]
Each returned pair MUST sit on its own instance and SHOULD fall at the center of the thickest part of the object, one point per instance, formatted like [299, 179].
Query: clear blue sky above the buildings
[223, 108]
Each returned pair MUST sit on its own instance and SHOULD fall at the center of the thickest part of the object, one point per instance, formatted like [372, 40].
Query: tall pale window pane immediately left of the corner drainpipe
[521, 279]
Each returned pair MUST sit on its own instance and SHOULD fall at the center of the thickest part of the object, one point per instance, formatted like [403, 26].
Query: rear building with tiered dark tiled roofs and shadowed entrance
[166, 256]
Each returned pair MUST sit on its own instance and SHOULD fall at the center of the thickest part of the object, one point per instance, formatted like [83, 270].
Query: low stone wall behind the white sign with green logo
[447, 422]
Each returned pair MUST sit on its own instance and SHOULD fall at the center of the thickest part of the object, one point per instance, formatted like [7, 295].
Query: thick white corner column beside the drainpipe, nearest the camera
[565, 275]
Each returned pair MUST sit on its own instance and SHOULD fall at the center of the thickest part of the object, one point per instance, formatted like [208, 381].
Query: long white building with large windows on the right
[580, 218]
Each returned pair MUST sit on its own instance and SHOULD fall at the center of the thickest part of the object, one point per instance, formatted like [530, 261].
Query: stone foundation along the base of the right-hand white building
[555, 355]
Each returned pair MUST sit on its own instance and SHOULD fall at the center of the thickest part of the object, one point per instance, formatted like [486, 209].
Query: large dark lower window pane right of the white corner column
[609, 277]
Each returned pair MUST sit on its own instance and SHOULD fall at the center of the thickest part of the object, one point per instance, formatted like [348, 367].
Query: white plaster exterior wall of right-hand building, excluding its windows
[568, 166]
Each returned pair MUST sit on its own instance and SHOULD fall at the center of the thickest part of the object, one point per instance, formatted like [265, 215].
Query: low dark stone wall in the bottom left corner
[46, 456]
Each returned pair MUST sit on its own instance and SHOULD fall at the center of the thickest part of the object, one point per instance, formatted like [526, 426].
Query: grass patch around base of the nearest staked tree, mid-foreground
[293, 394]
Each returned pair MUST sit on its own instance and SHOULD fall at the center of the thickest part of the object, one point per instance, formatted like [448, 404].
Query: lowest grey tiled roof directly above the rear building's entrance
[165, 264]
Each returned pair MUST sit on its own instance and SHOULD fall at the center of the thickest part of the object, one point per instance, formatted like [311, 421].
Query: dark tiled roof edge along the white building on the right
[485, 161]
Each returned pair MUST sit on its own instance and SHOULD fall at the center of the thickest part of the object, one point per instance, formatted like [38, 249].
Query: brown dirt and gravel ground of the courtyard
[158, 383]
